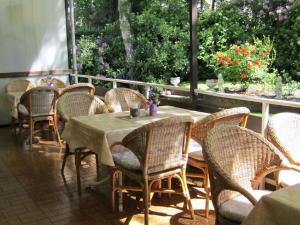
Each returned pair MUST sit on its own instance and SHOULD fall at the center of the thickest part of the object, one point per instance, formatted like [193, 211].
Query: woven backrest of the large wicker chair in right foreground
[236, 157]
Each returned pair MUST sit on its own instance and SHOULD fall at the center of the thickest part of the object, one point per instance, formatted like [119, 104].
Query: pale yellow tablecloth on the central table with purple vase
[98, 132]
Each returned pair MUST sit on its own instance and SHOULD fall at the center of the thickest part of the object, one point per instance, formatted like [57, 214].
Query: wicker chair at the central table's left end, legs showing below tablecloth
[78, 104]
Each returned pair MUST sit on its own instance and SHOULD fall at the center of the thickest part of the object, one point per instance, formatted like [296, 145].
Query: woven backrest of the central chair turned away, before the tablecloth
[161, 145]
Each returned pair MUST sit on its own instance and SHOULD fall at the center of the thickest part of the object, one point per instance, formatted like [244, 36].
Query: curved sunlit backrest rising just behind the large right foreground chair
[233, 116]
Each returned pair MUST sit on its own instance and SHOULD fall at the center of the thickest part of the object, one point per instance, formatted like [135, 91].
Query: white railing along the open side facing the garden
[266, 102]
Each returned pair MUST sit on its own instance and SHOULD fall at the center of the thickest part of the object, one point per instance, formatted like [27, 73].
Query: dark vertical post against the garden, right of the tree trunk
[193, 48]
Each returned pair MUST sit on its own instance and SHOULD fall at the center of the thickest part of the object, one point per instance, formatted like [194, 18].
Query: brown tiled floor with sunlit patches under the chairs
[33, 192]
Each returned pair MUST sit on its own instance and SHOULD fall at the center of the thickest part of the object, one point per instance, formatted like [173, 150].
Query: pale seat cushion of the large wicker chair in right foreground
[238, 208]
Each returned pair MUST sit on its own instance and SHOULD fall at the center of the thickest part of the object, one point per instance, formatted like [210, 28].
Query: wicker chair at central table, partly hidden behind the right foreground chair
[234, 116]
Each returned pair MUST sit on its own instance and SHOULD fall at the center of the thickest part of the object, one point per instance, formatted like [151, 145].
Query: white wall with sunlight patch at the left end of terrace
[32, 38]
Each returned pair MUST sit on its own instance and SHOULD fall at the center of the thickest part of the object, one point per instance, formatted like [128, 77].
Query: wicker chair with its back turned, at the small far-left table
[38, 104]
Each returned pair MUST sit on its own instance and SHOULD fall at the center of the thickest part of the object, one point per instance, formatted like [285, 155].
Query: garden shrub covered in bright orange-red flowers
[244, 62]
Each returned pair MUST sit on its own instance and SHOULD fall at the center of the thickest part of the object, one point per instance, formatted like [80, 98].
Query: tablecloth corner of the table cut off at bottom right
[281, 207]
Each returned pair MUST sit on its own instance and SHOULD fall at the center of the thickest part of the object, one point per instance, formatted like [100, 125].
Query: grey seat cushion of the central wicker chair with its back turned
[125, 158]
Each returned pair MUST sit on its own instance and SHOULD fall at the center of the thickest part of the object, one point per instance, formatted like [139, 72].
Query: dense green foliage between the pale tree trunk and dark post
[160, 39]
